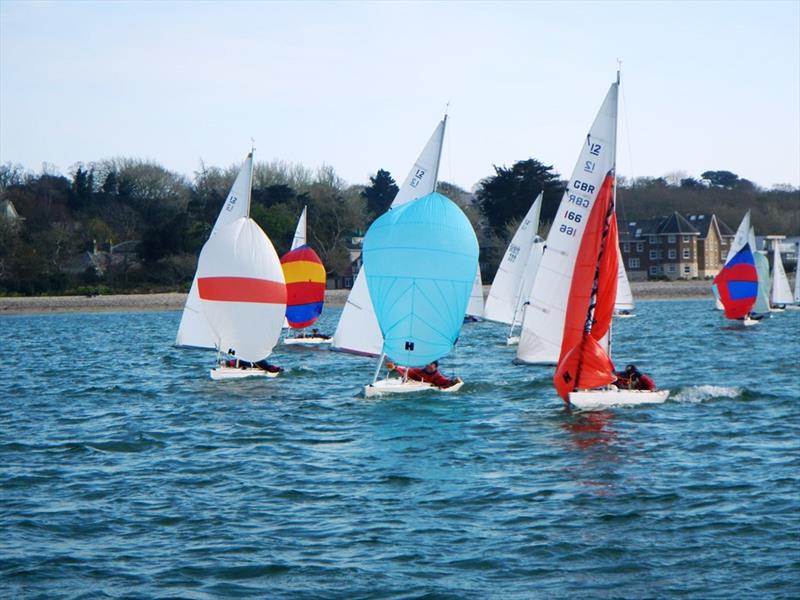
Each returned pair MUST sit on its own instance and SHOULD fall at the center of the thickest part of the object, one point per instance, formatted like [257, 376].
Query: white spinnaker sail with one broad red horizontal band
[242, 290]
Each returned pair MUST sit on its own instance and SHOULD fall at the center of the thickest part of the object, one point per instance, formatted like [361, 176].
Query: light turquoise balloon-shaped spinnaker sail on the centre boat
[420, 260]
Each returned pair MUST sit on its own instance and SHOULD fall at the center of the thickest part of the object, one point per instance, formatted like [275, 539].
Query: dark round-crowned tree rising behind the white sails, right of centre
[509, 193]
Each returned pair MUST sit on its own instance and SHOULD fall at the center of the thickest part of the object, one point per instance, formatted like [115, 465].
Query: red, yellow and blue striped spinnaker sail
[305, 286]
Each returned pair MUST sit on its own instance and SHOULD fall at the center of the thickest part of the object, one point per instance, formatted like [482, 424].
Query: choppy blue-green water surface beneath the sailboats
[126, 471]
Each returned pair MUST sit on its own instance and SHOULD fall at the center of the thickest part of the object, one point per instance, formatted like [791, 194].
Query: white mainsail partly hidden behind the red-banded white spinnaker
[193, 330]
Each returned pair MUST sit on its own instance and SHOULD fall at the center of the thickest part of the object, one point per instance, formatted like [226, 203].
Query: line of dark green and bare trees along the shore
[170, 216]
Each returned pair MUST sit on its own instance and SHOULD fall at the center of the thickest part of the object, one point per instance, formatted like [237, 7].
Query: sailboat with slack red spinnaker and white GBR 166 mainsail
[585, 241]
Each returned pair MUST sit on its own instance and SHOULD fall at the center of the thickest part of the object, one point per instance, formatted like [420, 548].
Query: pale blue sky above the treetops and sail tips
[360, 86]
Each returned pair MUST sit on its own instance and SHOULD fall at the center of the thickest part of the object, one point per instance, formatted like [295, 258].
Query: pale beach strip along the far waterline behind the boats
[642, 290]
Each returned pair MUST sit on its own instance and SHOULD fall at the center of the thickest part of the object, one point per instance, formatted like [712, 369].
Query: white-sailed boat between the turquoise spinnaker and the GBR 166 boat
[508, 296]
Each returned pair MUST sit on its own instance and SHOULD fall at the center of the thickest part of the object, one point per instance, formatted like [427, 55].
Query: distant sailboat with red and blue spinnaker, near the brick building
[737, 282]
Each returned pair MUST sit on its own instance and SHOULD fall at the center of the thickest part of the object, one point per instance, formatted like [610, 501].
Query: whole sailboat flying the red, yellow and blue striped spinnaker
[305, 288]
